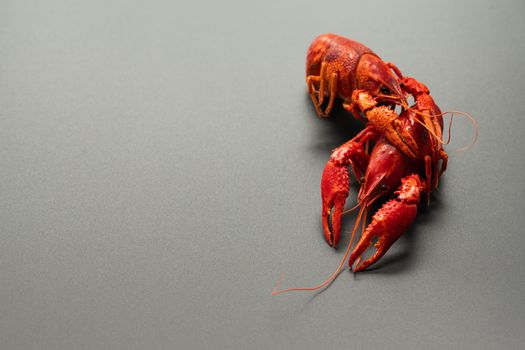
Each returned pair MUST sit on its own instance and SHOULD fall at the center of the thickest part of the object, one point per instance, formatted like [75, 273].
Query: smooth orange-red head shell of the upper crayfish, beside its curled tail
[375, 77]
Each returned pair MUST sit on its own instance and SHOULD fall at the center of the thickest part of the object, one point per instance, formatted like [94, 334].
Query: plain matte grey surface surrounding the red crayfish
[160, 167]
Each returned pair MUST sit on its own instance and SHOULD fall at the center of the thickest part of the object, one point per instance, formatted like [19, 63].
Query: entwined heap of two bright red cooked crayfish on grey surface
[397, 156]
